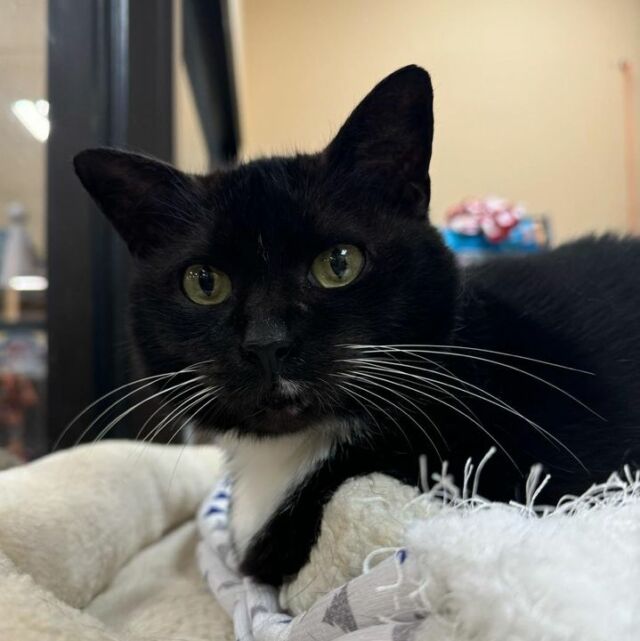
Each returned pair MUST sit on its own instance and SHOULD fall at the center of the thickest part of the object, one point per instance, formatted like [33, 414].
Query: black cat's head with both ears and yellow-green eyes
[258, 278]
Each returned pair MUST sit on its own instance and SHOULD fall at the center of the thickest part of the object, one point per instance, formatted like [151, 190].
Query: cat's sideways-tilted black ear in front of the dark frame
[145, 199]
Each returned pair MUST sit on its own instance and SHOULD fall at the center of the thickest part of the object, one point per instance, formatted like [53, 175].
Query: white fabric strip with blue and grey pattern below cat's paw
[383, 604]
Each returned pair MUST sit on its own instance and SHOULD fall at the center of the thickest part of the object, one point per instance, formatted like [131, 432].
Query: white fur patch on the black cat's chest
[264, 472]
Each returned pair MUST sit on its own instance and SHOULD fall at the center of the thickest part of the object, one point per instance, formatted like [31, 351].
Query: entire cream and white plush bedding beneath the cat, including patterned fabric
[99, 543]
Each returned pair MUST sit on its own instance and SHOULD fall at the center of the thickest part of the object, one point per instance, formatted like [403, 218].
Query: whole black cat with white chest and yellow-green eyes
[321, 327]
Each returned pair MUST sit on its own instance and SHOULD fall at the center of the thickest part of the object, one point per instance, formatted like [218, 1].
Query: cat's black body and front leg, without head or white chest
[517, 306]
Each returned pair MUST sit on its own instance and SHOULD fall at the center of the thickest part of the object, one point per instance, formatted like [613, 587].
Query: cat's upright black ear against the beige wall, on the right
[386, 141]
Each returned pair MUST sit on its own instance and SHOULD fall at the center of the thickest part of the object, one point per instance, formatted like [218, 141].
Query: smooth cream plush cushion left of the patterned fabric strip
[98, 543]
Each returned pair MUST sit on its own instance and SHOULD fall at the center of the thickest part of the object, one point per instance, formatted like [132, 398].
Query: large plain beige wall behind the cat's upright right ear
[528, 93]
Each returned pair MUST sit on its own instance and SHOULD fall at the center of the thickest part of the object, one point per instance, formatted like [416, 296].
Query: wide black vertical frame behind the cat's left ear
[110, 83]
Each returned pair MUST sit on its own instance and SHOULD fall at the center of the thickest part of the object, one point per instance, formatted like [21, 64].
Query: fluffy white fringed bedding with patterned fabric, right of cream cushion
[445, 565]
